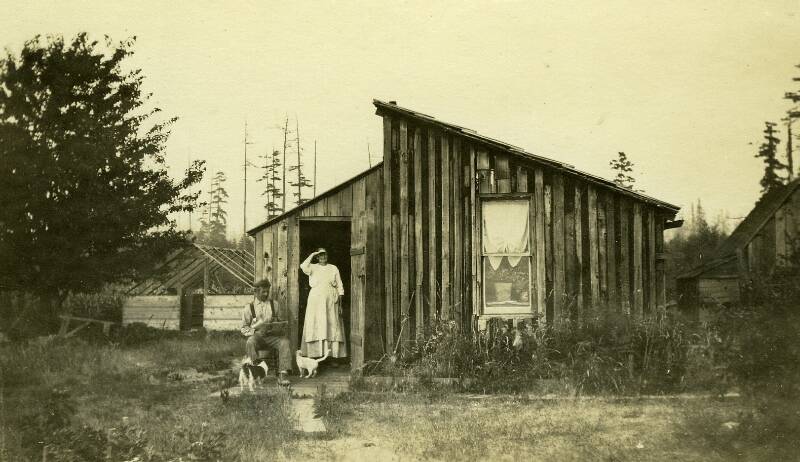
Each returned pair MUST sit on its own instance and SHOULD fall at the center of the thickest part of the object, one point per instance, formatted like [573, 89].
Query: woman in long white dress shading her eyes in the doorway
[323, 327]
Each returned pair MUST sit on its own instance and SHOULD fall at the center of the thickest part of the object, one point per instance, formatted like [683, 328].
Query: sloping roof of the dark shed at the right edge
[752, 224]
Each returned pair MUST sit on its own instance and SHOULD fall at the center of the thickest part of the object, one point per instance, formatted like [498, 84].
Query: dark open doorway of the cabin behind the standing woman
[334, 236]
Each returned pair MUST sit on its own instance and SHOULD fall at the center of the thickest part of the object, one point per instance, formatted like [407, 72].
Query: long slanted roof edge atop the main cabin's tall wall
[469, 133]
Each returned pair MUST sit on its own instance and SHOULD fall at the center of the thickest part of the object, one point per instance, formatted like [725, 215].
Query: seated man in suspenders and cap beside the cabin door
[264, 324]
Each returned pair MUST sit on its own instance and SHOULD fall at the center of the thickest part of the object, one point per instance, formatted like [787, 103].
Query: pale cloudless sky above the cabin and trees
[683, 87]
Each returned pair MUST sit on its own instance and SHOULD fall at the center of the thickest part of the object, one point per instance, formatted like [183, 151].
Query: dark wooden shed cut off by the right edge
[762, 241]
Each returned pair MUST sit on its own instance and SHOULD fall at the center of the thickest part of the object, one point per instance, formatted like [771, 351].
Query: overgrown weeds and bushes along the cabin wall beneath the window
[614, 354]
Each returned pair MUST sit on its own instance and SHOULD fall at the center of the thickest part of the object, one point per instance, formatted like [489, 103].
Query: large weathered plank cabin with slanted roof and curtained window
[455, 226]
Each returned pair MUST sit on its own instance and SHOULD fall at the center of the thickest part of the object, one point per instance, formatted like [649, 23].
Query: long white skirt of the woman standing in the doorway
[323, 328]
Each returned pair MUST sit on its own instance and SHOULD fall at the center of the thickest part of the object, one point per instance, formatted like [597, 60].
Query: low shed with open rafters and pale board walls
[198, 286]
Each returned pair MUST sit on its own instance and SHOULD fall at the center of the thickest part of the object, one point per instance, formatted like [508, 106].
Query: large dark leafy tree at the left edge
[85, 198]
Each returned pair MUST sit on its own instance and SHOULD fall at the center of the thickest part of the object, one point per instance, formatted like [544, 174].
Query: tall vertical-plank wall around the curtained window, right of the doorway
[594, 250]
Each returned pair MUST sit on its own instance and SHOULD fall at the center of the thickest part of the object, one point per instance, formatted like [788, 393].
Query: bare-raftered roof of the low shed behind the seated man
[186, 266]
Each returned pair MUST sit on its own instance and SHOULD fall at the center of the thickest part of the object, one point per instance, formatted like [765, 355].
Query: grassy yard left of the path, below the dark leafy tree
[75, 399]
